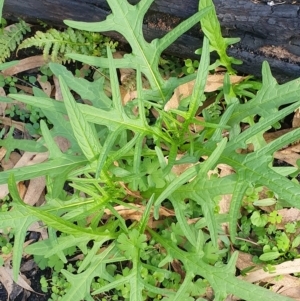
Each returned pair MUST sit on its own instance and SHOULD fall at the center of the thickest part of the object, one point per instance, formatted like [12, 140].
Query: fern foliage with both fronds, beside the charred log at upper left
[55, 43]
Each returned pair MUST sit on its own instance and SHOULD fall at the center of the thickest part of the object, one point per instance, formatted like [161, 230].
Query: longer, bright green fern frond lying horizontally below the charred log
[56, 44]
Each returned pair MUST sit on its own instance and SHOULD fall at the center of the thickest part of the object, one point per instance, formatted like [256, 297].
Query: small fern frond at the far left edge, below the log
[11, 38]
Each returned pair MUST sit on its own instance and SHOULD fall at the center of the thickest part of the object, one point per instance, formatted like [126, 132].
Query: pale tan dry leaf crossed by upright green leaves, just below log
[214, 82]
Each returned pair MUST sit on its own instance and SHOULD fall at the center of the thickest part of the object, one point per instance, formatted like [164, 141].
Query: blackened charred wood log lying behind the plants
[268, 30]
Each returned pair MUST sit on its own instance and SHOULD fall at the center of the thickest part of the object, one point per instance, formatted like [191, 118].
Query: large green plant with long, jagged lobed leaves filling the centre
[118, 159]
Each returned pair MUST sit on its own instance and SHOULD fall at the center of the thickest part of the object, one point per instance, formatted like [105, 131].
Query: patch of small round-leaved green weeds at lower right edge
[260, 234]
